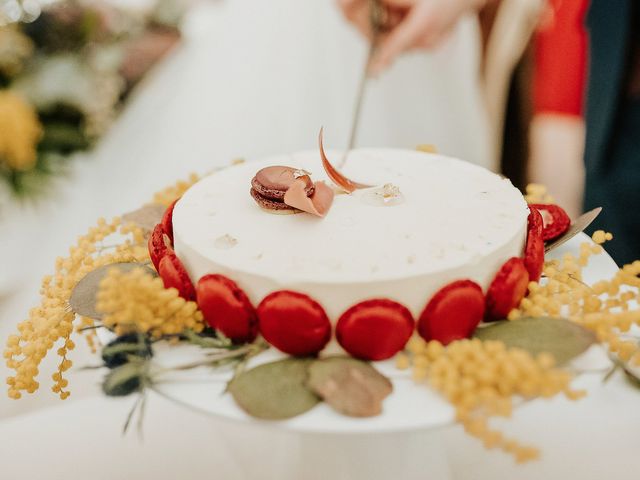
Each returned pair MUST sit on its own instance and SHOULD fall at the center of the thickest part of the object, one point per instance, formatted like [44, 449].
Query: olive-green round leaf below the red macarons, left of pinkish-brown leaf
[274, 391]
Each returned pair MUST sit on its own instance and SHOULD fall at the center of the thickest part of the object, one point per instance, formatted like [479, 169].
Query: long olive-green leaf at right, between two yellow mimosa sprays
[562, 338]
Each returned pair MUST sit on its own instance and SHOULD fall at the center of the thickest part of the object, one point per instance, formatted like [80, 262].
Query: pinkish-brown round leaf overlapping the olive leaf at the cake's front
[350, 386]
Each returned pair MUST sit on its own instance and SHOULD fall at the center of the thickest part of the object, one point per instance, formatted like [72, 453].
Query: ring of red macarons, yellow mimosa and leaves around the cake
[538, 315]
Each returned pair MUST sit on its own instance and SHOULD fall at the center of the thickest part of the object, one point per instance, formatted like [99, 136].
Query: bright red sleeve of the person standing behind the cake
[561, 59]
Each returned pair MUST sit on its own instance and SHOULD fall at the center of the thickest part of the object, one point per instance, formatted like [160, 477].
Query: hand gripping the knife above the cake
[409, 24]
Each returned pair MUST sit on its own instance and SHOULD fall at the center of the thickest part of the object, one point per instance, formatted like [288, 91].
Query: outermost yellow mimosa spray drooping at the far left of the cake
[53, 319]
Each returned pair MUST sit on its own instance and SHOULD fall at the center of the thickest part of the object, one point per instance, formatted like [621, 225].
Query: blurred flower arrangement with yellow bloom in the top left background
[65, 73]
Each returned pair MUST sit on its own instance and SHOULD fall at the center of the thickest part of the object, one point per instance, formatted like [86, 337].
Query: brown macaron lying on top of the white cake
[270, 184]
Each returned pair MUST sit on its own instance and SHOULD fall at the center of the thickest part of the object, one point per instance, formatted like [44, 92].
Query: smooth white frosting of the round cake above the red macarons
[455, 221]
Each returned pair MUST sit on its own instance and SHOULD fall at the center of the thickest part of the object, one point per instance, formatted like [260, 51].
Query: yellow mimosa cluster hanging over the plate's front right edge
[480, 379]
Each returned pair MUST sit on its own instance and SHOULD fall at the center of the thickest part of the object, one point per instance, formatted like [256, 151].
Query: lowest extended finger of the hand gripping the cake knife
[404, 37]
